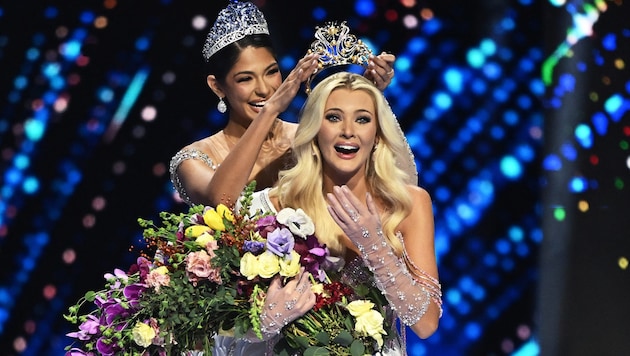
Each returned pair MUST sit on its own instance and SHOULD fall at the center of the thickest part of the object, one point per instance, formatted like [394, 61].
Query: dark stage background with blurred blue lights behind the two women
[517, 112]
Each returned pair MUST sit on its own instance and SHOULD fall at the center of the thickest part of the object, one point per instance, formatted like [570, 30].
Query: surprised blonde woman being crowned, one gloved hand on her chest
[346, 178]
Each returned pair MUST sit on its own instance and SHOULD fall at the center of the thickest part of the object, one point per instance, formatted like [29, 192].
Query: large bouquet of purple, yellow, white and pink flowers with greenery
[209, 276]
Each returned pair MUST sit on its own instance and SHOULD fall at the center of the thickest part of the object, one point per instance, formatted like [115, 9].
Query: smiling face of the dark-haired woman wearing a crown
[251, 81]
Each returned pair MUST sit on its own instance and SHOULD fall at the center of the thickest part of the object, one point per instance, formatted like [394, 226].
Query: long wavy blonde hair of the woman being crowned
[302, 185]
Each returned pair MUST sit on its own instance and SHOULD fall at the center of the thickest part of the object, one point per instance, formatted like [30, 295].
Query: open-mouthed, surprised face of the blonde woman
[348, 134]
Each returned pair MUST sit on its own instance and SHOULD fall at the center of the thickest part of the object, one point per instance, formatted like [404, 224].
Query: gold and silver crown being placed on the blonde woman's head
[336, 46]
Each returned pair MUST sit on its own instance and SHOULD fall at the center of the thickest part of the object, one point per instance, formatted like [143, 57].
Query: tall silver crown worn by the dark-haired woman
[237, 20]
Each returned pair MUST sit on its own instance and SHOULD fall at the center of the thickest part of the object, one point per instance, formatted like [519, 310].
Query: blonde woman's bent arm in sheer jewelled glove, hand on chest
[409, 282]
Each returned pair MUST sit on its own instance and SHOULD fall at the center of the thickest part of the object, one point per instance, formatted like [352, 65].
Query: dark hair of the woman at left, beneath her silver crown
[221, 62]
